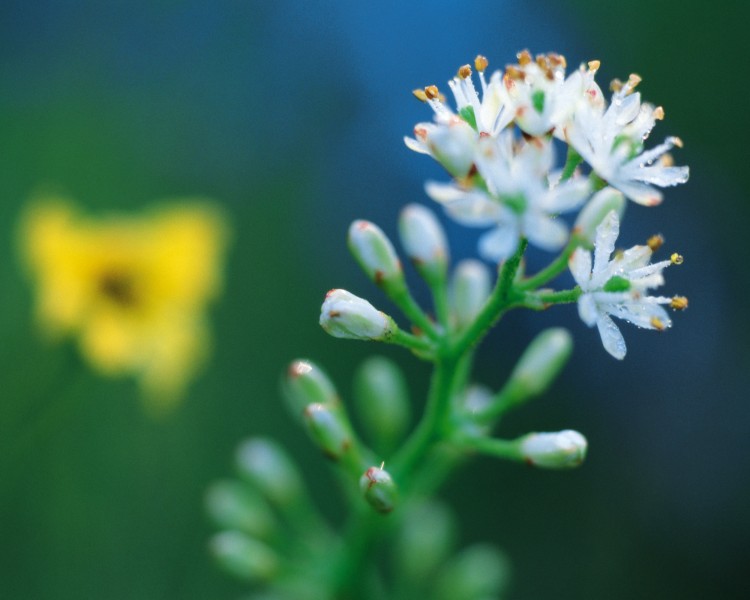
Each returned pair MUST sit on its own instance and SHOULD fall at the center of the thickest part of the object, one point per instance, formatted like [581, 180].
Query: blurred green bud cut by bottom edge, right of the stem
[479, 571]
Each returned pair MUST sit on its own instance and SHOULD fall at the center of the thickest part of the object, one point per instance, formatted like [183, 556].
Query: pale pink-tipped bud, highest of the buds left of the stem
[424, 240]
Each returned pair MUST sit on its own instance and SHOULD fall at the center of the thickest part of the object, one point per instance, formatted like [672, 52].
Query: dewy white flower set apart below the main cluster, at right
[616, 287]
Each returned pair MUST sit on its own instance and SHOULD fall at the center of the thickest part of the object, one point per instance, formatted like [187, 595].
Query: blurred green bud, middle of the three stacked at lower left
[233, 505]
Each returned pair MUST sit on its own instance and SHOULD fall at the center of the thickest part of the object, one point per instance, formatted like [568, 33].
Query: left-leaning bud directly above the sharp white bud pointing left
[375, 254]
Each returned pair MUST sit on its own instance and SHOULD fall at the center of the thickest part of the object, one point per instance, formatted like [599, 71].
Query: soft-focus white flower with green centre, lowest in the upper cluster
[519, 201]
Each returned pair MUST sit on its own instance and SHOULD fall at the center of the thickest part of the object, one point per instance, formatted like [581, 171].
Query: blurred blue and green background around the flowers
[291, 115]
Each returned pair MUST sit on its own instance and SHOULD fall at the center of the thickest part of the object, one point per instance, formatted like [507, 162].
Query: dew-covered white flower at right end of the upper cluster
[611, 141]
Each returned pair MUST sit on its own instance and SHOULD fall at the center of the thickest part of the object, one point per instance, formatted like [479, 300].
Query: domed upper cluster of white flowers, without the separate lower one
[499, 148]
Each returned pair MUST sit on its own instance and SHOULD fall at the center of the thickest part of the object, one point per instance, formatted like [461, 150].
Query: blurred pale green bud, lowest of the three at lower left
[244, 557]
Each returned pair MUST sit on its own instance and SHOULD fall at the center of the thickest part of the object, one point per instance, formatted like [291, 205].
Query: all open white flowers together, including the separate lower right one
[498, 145]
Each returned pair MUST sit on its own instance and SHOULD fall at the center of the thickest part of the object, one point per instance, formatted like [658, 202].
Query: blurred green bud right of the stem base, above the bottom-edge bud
[425, 540]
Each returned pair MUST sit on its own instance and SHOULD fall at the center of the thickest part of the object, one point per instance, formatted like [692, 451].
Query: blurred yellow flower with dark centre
[132, 289]
